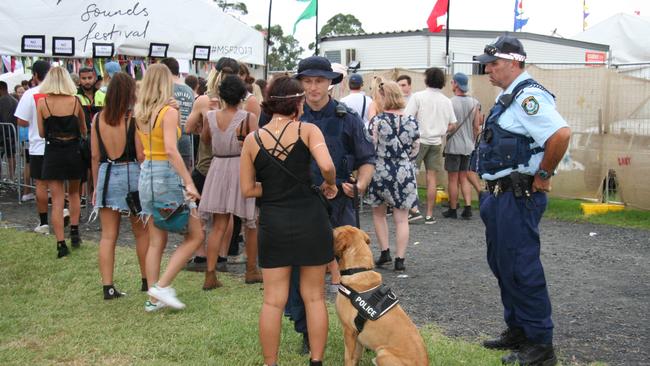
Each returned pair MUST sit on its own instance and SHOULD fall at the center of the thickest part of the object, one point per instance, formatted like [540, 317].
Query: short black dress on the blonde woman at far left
[62, 157]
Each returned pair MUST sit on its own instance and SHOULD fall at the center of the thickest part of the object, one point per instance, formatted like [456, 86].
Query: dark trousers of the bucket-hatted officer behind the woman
[342, 214]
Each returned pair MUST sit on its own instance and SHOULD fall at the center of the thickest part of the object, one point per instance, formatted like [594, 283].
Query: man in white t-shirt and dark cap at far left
[26, 116]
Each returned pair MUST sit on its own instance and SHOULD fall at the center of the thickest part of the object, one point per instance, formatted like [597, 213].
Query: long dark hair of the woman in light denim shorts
[120, 98]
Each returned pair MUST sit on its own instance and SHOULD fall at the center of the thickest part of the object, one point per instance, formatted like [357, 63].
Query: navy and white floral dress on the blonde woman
[395, 138]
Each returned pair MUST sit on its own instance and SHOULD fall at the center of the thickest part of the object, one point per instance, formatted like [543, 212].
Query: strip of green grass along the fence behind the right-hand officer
[569, 210]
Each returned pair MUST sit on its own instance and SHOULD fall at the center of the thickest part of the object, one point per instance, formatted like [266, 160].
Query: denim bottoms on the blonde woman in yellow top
[167, 186]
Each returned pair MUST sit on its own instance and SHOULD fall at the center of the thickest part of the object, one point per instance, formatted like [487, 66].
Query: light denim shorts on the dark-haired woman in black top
[117, 186]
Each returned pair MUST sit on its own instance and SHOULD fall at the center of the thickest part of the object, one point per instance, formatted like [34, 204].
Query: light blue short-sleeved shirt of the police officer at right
[533, 114]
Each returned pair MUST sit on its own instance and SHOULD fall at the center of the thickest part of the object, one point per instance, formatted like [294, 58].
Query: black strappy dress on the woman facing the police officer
[294, 229]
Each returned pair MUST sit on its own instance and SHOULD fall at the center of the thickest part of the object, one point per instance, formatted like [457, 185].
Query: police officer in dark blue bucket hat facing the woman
[351, 149]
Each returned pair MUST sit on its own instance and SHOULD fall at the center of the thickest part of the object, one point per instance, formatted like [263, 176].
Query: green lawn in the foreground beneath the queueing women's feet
[52, 312]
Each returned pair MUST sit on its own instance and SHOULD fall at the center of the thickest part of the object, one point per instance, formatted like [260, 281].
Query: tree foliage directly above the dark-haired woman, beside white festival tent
[284, 51]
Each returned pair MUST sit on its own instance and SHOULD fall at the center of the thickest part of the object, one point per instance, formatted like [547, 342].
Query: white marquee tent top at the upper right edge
[626, 34]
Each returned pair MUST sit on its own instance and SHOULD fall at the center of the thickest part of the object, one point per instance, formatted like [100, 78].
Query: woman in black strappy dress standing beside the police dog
[294, 228]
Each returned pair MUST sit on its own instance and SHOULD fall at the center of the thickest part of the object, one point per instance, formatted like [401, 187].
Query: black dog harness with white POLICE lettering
[371, 304]
